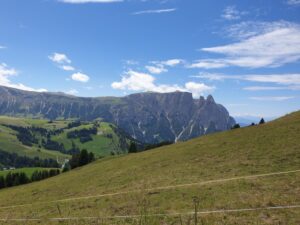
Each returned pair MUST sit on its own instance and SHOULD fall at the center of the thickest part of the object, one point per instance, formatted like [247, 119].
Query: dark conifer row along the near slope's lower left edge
[19, 178]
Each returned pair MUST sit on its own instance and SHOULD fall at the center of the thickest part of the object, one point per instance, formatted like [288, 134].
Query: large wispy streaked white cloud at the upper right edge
[279, 44]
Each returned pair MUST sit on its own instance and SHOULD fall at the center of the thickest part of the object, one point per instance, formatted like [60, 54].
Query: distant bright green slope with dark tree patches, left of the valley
[100, 146]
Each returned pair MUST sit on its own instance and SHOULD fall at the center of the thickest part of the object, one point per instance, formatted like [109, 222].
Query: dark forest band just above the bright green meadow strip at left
[14, 160]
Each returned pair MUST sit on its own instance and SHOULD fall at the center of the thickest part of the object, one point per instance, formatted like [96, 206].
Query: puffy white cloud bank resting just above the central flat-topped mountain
[136, 81]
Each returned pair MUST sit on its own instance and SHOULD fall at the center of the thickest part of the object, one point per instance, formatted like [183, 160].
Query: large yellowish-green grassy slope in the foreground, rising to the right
[144, 183]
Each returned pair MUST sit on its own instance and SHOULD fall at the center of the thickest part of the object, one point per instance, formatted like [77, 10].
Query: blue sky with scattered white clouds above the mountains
[245, 53]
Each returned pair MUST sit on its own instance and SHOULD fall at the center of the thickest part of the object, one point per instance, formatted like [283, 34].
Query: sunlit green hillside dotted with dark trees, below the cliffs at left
[105, 142]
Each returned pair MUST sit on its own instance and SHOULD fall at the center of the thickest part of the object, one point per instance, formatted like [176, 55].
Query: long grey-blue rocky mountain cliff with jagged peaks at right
[148, 117]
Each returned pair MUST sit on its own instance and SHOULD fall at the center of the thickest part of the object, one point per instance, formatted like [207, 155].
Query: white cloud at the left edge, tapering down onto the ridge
[6, 73]
